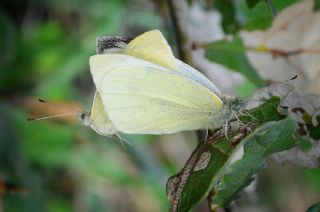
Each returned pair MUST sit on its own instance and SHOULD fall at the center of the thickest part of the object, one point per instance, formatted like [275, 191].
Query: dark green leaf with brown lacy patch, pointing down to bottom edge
[197, 177]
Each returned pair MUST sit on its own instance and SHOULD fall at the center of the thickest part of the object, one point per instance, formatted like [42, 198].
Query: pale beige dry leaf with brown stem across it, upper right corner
[291, 46]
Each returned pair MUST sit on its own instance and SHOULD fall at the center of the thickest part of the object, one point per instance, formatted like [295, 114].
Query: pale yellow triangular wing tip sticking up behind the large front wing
[153, 47]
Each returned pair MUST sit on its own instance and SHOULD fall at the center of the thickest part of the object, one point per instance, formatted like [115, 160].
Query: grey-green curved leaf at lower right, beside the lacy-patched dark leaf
[272, 137]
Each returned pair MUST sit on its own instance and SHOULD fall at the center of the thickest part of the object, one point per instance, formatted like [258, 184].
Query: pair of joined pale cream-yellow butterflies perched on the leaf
[143, 89]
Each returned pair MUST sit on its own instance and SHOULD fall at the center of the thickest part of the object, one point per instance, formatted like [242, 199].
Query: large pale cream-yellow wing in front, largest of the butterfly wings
[143, 98]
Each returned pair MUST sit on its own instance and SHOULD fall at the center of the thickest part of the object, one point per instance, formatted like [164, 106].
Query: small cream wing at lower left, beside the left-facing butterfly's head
[99, 120]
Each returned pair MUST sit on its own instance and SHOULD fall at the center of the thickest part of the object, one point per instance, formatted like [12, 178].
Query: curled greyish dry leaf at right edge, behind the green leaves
[305, 110]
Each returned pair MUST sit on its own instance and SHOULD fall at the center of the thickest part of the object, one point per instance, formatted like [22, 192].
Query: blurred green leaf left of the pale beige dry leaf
[232, 55]
